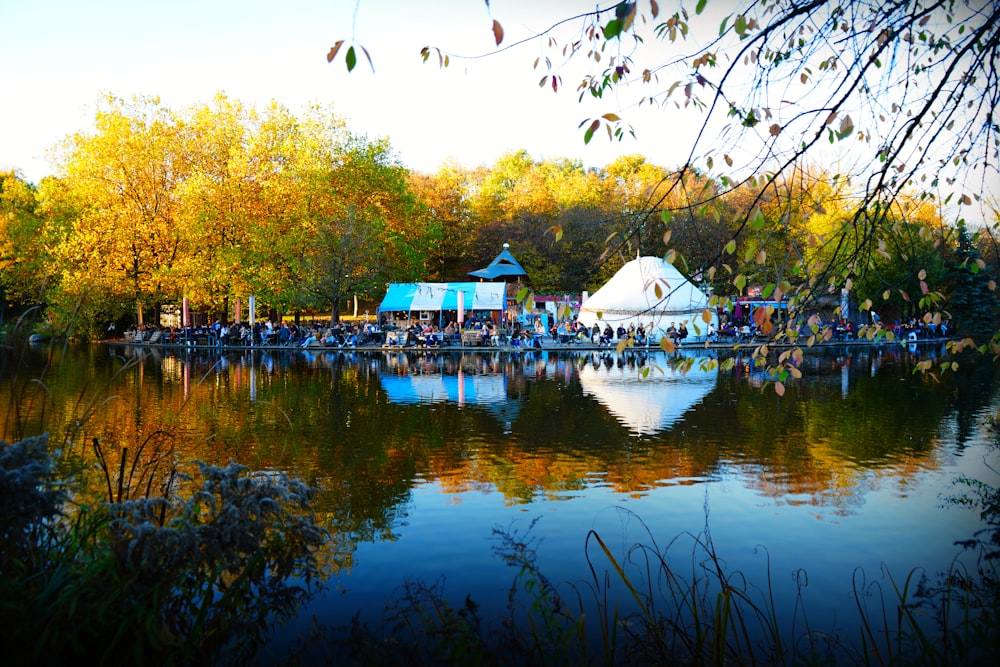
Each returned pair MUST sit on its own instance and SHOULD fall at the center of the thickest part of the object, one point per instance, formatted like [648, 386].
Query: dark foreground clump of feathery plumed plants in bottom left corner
[111, 554]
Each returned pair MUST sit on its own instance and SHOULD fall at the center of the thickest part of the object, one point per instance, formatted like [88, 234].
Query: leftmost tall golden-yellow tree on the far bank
[123, 181]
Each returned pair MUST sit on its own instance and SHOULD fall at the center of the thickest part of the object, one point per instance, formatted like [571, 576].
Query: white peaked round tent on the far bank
[648, 290]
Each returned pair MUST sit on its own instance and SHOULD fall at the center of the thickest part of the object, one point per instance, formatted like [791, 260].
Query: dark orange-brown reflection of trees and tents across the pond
[366, 426]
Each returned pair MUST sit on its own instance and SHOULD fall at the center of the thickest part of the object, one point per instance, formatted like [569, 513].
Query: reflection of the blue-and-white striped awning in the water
[485, 391]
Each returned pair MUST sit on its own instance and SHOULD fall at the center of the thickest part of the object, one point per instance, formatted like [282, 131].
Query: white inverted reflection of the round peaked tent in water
[648, 404]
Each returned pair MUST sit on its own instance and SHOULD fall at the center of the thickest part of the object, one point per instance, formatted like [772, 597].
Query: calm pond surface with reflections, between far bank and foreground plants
[421, 456]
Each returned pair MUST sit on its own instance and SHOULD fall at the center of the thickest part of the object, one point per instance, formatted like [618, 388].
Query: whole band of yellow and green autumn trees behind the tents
[221, 201]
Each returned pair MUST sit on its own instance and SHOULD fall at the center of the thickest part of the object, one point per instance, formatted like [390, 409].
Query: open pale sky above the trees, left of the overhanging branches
[59, 55]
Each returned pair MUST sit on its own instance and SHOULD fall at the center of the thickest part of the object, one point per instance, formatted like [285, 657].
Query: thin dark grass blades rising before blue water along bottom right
[680, 605]
